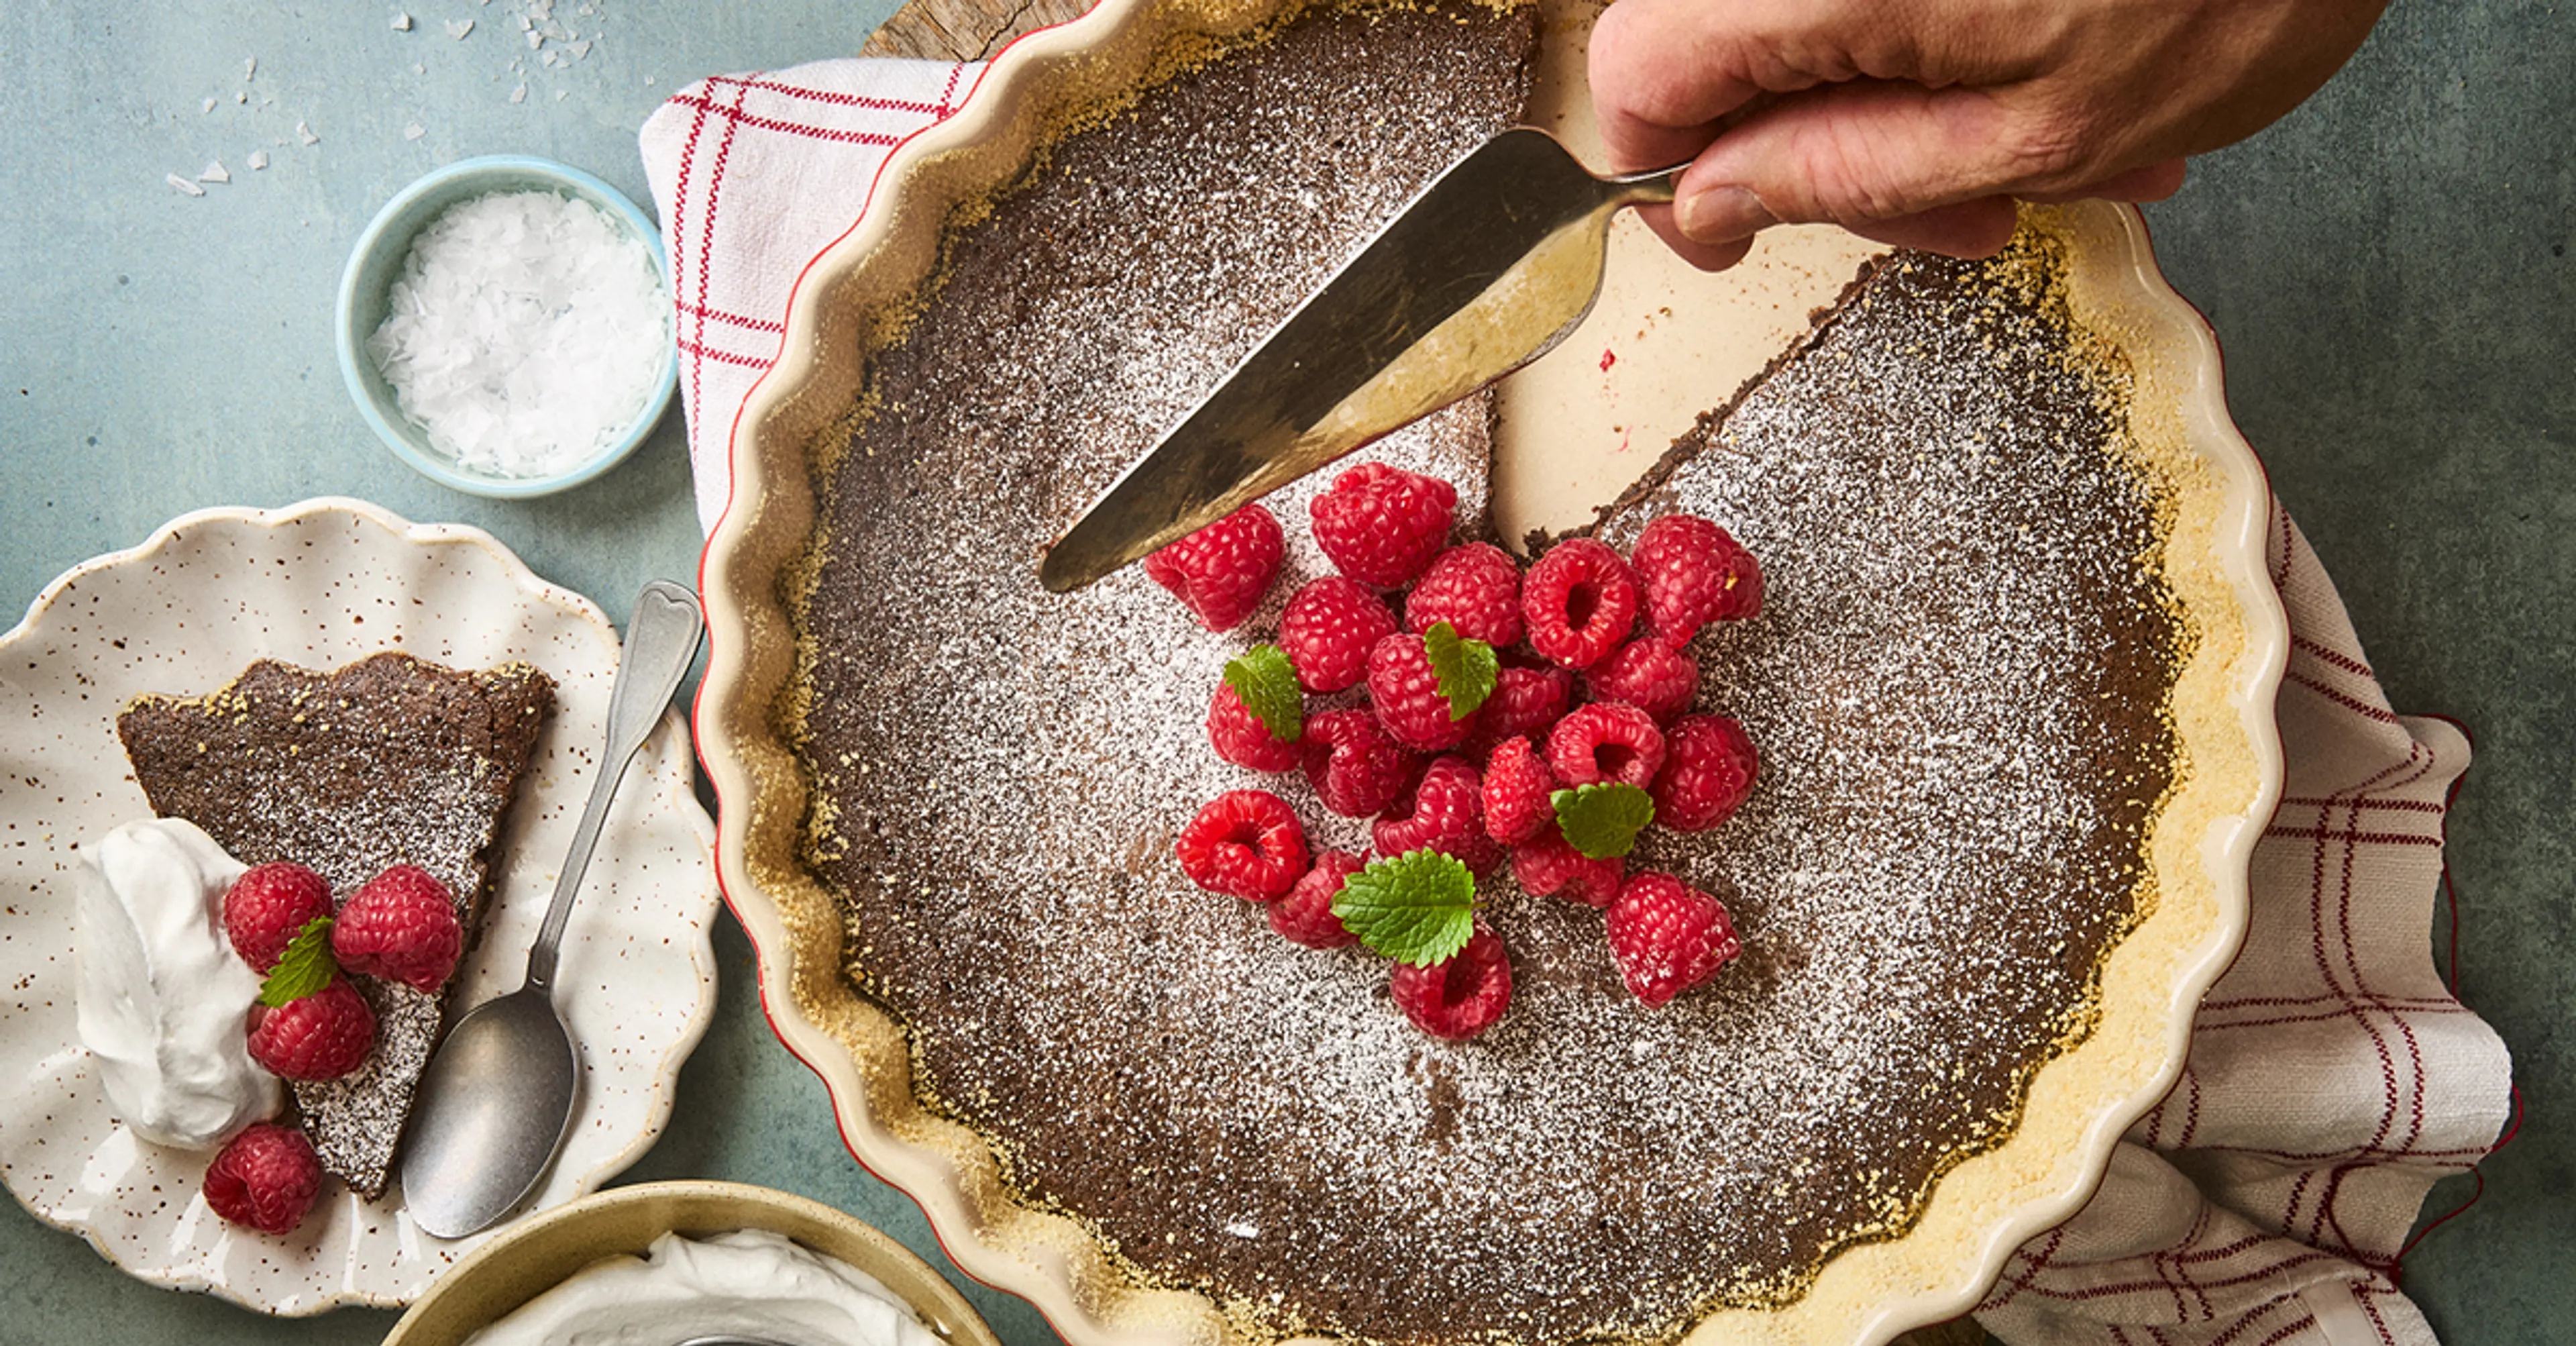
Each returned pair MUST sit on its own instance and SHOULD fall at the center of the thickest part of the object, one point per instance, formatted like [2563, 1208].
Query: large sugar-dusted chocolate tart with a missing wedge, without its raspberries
[1959, 687]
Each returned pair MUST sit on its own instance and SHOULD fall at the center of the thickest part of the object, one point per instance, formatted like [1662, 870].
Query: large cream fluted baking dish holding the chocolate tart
[851, 300]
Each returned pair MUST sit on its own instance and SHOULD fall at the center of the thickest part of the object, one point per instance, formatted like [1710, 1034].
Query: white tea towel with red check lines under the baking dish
[2333, 1077]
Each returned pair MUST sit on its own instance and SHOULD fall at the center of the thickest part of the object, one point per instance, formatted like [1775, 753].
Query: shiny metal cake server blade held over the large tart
[1485, 272]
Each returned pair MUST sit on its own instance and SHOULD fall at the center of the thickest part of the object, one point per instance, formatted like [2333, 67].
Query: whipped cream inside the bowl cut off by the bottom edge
[748, 1283]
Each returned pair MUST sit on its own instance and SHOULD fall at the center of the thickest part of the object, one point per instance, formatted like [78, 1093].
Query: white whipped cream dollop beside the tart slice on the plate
[164, 999]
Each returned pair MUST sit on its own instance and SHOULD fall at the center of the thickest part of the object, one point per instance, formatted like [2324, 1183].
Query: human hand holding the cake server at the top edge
[1920, 122]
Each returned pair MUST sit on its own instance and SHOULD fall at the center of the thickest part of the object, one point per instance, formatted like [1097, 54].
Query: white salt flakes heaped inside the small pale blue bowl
[524, 334]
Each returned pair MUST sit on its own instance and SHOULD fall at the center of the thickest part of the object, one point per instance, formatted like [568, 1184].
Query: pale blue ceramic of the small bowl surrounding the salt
[377, 262]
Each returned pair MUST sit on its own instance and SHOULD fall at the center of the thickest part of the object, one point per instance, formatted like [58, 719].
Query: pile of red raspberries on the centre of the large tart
[1596, 685]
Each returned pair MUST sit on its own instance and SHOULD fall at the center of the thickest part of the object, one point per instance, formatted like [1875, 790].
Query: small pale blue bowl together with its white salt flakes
[506, 326]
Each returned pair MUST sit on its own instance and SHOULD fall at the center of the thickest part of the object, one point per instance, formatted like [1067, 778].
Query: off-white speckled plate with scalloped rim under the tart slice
[326, 584]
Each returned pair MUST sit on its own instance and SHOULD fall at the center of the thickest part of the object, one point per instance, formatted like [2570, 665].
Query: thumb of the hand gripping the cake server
[1869, 156]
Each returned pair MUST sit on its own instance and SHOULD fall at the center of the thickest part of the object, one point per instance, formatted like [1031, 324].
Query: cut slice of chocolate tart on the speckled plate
[383, 762]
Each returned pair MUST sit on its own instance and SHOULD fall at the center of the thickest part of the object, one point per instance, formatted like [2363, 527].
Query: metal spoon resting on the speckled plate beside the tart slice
[498, 1095]
